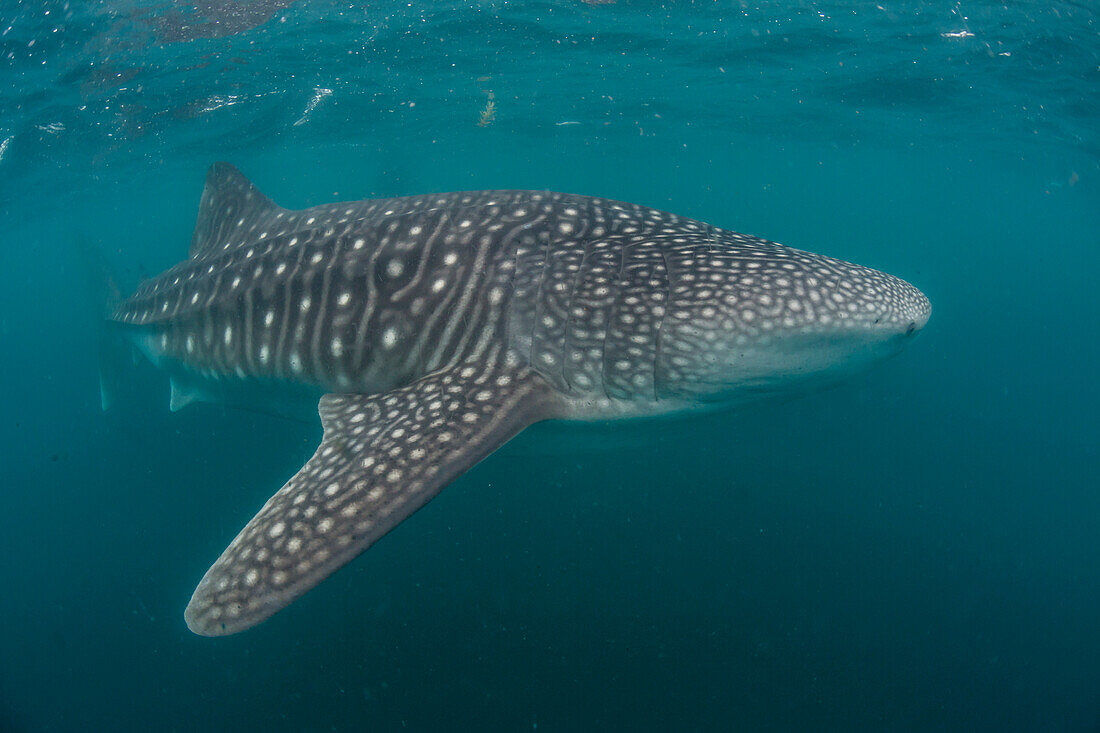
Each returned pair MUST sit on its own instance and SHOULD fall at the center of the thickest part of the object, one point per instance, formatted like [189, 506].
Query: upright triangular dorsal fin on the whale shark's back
[232, 206]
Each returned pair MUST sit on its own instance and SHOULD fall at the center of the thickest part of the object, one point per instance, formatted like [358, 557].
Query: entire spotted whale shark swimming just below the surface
[428, 331]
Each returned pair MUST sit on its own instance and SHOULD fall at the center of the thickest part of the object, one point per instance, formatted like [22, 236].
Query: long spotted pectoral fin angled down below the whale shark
[382, 458]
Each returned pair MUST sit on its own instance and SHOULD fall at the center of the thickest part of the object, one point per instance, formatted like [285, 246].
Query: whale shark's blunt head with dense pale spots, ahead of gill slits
[766, 320]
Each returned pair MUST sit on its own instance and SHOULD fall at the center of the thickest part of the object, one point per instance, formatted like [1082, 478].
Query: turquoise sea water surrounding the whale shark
[914, 551]
